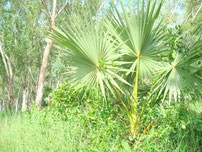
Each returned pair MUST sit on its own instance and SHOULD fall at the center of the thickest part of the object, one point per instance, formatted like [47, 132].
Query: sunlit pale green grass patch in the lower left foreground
[36, 134]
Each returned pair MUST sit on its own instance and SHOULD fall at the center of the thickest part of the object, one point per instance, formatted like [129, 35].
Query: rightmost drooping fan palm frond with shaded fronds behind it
[184, 71]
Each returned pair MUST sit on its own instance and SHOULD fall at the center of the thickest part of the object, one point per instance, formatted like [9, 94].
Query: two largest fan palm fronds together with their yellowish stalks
[93, 49]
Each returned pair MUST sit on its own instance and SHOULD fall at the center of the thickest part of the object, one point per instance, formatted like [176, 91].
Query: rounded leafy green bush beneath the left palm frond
[66, 99]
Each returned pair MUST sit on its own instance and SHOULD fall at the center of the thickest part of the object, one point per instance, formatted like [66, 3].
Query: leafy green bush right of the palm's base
[175, 128]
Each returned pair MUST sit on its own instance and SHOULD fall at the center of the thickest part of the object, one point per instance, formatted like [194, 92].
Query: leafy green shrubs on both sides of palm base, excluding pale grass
[175, 127]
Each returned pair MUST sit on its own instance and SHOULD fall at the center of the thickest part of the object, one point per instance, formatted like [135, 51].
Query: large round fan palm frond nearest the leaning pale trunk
[92, 54]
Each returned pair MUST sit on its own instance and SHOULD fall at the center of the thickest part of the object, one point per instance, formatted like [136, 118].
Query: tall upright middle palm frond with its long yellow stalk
[137, 25]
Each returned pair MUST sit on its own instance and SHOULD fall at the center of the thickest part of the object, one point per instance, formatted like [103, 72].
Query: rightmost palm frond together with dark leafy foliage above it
[183, 70]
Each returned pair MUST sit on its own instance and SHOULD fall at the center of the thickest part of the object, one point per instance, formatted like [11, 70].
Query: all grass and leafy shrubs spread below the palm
[76, 121]
